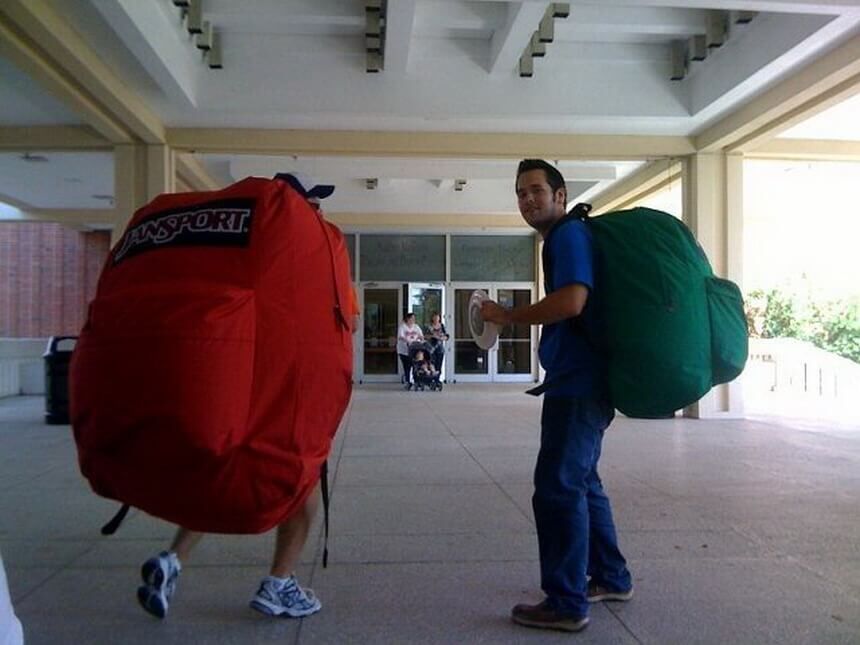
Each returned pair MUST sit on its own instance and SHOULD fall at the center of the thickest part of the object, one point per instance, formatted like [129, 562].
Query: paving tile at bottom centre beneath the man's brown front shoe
[438, 603]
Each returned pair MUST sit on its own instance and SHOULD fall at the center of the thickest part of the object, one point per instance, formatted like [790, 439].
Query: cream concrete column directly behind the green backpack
[713, 209]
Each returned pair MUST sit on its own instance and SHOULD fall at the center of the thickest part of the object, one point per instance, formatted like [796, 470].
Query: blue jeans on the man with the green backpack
[576, 534]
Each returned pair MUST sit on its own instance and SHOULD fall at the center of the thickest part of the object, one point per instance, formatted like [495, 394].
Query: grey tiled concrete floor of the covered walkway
[736, 532]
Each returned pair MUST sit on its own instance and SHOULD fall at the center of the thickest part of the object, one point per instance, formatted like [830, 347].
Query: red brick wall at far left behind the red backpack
[48, 275]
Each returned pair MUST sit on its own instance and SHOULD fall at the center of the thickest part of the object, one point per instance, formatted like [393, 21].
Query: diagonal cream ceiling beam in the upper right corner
[814, 88]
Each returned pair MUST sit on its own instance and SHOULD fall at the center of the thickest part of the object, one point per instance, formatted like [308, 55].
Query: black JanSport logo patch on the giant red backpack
[221, 223]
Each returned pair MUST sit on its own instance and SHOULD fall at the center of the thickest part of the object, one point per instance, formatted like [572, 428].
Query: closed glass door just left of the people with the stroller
[381, 312]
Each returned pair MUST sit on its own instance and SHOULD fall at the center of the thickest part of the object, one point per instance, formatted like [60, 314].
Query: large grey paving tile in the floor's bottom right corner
[743, 600]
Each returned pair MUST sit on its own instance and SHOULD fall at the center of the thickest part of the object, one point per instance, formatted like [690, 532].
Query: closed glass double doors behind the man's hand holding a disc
[512, 358]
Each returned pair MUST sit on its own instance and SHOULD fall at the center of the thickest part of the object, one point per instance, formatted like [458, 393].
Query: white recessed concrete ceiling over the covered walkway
[449, 67]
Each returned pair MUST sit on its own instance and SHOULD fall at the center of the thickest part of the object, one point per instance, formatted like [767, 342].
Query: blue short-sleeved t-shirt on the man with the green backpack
[568, 349]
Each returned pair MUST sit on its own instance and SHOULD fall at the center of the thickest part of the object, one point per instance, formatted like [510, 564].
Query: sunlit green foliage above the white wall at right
[832, 326]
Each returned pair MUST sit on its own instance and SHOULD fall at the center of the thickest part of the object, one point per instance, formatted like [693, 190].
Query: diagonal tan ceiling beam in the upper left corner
[69, 56]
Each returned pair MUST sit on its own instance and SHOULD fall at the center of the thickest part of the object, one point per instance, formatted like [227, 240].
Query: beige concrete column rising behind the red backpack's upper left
[141, 172]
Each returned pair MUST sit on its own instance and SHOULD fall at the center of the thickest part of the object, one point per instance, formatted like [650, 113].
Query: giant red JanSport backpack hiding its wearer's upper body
[216, 361]
